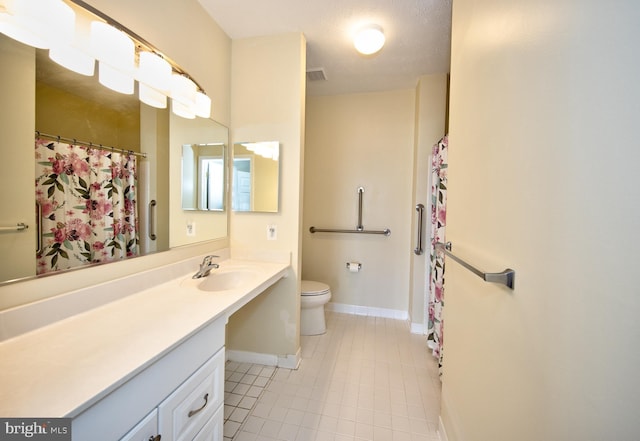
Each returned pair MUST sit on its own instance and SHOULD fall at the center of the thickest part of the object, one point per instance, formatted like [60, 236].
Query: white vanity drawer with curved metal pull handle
[183, 414]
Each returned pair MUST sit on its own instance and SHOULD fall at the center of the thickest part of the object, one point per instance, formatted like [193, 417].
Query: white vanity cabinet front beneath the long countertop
[180, 397]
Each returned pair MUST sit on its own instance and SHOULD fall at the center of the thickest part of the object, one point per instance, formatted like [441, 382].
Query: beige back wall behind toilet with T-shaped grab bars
[360, 140]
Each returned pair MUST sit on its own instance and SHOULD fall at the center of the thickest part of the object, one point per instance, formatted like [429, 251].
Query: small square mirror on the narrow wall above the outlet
[256, 176]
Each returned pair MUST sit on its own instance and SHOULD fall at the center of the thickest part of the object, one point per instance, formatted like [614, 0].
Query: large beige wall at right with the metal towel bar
[543, 178]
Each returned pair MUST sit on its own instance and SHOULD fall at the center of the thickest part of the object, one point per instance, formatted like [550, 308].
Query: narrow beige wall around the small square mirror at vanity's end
[270, 106]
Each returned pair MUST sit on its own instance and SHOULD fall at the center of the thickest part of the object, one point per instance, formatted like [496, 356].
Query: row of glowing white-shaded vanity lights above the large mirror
[75, 41]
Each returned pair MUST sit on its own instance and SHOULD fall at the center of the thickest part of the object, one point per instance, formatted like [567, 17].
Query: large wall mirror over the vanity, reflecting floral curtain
[67, 115]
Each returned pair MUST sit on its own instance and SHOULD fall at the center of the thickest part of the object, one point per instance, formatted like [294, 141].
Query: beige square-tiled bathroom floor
[367, 378]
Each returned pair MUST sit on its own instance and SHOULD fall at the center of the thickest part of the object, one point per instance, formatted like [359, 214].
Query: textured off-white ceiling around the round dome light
[417, 33]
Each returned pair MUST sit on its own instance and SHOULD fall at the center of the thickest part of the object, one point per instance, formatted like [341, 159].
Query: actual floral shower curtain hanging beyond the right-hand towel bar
[438, 222]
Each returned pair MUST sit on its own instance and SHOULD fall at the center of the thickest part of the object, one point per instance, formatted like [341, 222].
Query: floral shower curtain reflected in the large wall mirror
[88, 203]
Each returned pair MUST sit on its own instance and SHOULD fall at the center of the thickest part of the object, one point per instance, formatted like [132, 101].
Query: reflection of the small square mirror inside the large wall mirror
[203, 176]
